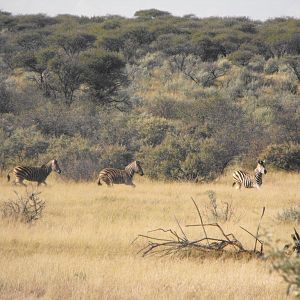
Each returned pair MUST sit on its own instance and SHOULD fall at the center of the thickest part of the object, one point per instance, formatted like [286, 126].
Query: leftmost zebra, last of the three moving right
[37, 174]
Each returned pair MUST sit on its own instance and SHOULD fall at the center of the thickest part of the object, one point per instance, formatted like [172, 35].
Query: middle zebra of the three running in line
[116, 176]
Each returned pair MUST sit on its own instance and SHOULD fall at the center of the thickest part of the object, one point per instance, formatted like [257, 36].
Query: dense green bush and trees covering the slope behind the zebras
[186, 96]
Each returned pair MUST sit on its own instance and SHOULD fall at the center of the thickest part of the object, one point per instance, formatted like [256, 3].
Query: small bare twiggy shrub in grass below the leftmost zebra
[26, 209]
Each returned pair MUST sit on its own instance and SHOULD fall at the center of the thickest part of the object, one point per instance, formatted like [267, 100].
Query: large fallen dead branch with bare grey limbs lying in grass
[174, 242]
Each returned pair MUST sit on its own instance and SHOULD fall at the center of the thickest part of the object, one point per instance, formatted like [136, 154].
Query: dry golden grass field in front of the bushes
[81, 248]
